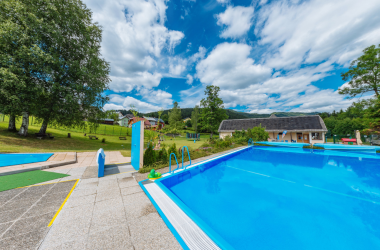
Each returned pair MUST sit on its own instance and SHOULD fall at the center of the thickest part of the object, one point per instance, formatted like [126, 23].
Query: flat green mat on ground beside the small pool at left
[27, 178]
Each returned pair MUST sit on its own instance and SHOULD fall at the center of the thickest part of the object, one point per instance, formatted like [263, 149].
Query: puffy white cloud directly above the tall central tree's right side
[229, 67]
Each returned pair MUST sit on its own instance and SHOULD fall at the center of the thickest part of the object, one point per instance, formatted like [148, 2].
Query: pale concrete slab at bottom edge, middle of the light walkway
[116, 237]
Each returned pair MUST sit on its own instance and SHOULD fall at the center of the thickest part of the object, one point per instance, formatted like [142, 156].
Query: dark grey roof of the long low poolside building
[276, 124]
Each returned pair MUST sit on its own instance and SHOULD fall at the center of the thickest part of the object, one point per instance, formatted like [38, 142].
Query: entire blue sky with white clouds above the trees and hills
[266, 56]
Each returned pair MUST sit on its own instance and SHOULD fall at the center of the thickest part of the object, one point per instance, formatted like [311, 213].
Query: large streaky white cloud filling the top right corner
[313, 31]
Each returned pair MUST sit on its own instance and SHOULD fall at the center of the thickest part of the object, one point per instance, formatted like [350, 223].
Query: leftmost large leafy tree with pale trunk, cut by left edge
[23, 64]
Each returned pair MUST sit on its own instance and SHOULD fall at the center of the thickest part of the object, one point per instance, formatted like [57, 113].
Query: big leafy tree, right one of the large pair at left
[78, 76]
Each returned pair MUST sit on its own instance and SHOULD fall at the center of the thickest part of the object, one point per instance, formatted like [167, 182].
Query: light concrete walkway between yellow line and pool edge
[109, 213]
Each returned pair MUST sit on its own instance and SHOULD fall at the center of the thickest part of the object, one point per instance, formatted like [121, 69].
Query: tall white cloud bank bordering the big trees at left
[134, 35]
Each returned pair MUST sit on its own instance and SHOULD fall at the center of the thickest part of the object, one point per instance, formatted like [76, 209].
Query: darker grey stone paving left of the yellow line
[26, 212]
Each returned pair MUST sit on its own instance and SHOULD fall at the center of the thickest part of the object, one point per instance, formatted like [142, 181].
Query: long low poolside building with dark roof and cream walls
[306, 129]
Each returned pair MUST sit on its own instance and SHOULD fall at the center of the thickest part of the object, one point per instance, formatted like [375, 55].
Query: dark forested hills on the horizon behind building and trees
[232, 114]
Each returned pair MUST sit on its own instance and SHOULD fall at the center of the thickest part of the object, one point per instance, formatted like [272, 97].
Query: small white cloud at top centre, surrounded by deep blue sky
[237, 19]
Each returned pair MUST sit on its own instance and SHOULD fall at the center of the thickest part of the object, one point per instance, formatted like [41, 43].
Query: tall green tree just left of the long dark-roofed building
[213, 112]
